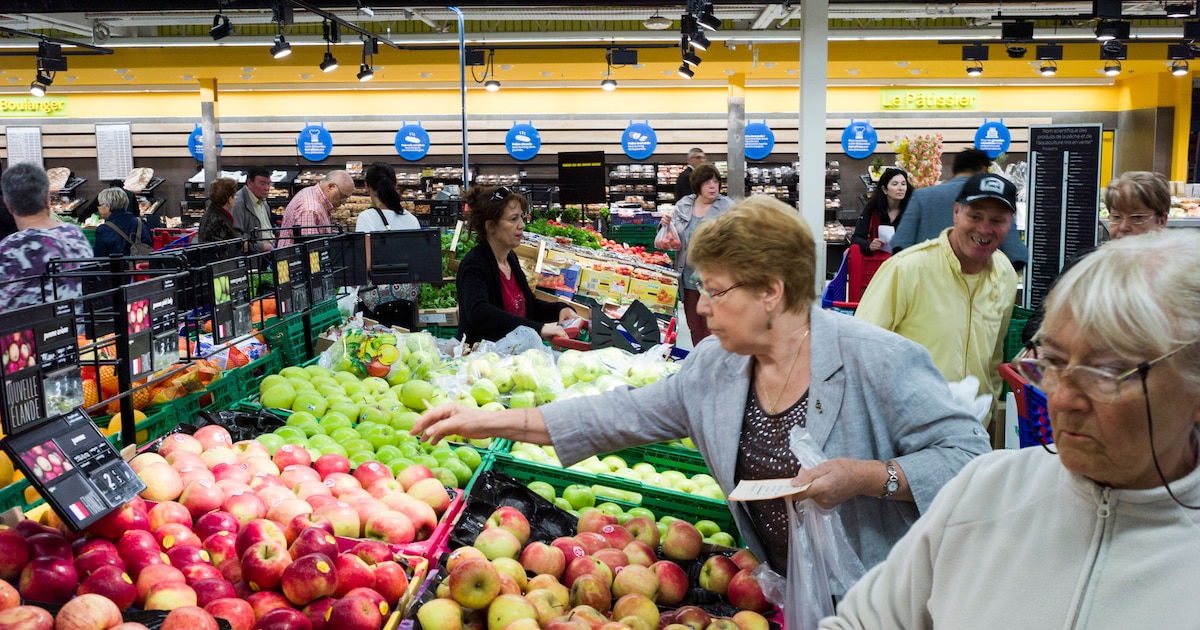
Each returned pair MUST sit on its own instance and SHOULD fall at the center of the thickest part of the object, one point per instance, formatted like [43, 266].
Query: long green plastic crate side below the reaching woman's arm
[661, 502]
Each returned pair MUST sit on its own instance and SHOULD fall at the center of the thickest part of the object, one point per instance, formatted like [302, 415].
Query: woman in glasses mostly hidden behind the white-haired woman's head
[1138, 202]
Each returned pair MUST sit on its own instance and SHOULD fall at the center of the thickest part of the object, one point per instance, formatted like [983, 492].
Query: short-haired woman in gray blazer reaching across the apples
[873, 400]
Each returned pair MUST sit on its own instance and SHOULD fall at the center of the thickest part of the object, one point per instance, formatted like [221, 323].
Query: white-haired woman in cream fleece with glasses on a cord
[1103, 533]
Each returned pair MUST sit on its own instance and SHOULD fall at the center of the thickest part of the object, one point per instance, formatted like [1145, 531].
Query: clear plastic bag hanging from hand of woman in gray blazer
[821, 562]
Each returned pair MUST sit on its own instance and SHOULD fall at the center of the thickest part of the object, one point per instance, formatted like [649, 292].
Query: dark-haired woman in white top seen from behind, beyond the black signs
[387, 214]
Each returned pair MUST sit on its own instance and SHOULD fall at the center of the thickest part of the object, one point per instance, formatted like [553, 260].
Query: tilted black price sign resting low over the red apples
[71, 465]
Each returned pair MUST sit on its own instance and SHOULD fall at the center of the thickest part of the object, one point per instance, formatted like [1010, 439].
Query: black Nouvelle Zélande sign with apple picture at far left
[40, 371]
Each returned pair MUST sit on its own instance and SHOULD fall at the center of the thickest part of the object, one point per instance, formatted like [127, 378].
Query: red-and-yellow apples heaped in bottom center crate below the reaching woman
[607, 577]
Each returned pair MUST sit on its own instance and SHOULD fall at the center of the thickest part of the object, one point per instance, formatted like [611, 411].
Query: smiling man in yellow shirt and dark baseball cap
[955, 295]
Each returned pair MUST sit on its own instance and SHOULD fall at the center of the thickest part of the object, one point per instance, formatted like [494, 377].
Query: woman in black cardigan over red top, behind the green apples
[494, 295]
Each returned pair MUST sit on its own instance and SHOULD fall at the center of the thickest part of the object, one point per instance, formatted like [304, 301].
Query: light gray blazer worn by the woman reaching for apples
[873, 395]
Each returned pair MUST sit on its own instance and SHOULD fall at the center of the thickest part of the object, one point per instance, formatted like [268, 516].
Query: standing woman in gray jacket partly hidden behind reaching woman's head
[691, 213]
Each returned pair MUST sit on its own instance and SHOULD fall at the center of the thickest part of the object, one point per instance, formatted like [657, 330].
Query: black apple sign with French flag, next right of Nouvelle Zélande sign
[149, 315]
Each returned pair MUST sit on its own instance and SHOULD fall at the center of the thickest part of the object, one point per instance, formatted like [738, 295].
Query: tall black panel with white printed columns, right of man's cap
[1064, 201]
